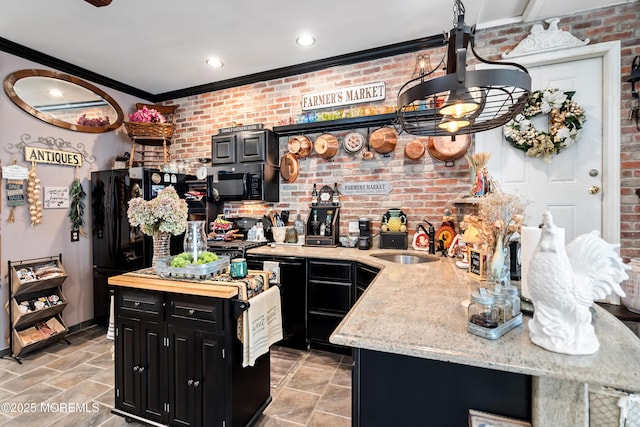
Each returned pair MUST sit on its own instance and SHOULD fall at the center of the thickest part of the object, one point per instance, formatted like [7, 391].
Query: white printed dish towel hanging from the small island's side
[261, 325]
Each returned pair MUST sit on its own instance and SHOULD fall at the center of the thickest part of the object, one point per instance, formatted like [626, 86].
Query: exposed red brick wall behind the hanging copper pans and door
[421, 188]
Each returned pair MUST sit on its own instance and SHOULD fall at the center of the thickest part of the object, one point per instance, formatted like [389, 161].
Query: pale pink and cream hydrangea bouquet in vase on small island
[166, 213]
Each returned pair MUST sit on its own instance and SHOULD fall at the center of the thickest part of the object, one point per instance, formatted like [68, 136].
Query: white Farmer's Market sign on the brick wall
[344, 96]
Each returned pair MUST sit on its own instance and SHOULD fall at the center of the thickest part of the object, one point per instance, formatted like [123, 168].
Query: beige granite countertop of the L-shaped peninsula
[420, 310]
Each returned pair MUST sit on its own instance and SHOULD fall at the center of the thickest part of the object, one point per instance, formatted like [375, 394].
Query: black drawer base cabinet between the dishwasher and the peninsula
[330, 296]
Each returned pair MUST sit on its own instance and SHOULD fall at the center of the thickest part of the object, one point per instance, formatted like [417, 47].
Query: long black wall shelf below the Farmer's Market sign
[375, 121]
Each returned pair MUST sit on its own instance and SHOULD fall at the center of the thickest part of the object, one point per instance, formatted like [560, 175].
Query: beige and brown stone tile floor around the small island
[313, 388]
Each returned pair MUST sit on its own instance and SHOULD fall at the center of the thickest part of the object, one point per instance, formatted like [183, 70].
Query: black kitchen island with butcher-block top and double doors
[178, 360]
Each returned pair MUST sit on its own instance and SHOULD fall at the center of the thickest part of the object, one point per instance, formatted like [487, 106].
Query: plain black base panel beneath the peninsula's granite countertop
[391, 389]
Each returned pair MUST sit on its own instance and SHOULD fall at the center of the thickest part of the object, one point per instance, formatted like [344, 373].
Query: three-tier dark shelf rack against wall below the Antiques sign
[28, 331]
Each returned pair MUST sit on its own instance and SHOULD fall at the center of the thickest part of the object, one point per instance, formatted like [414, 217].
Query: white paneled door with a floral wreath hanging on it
[563, 186]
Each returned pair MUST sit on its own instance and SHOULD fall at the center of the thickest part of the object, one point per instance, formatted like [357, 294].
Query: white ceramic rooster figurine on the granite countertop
[564, 283]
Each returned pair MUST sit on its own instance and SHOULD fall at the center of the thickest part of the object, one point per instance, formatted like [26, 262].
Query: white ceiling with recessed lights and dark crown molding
[161, 45]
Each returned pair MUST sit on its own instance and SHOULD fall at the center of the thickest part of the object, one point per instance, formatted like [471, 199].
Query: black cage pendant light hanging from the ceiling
[462, 101]
